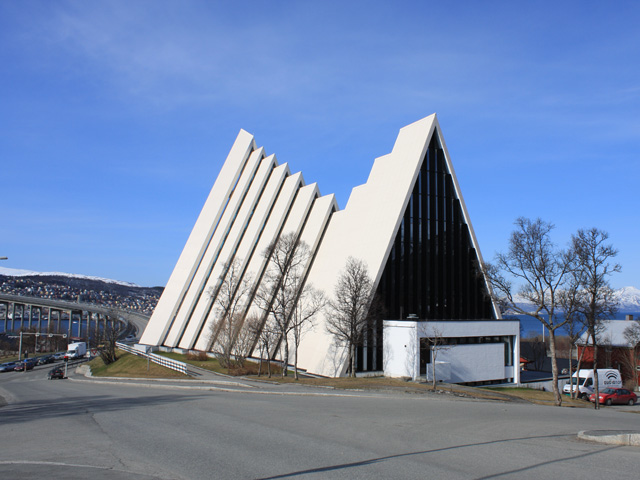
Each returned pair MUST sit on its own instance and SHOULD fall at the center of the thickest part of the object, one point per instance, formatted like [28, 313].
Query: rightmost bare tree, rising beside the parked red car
[596, 299]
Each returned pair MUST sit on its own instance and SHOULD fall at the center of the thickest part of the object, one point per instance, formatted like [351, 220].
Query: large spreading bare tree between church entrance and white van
[541, 270]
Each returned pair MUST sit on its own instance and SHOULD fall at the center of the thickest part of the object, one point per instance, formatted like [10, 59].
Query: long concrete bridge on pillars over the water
[75, 319]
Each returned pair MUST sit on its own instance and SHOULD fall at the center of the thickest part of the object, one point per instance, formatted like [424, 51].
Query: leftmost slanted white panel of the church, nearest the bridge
[189, 259]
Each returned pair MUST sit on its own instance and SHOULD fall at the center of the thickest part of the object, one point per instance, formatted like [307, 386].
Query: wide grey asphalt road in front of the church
[82, 429]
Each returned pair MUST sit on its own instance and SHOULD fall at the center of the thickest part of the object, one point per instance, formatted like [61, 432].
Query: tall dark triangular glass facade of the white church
[432, 270]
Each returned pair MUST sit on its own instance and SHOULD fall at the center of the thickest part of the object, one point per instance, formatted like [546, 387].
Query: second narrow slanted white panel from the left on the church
[225, 224]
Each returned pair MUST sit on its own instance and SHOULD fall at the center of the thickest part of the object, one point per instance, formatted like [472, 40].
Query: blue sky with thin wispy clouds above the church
[116, 116]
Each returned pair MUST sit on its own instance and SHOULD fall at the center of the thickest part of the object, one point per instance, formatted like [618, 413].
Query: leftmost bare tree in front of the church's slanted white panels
[230, 297]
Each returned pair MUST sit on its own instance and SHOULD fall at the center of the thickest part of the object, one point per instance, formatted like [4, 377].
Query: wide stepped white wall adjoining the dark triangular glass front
[365, 230]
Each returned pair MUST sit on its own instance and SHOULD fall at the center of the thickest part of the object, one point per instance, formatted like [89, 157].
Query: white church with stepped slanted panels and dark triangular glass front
[408, 223]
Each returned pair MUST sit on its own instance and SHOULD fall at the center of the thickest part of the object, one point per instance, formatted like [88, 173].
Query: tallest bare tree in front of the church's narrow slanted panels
[282, 284]
